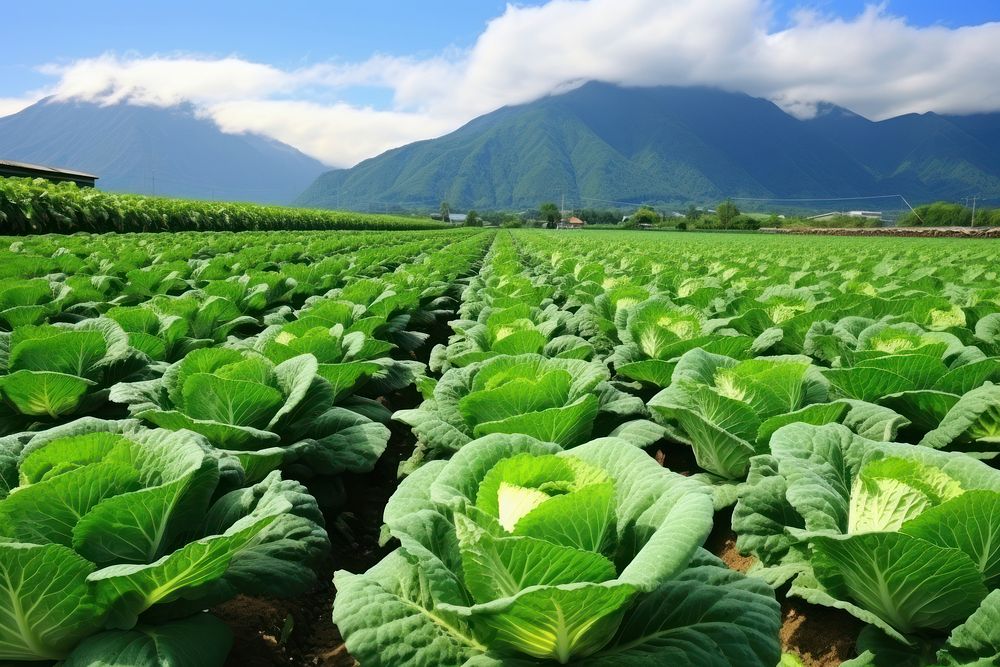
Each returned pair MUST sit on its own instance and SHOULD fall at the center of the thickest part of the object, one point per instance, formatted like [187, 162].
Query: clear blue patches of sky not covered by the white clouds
[298, 32]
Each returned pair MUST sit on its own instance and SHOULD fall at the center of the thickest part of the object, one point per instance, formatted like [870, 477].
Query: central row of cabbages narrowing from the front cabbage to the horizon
[532, 527]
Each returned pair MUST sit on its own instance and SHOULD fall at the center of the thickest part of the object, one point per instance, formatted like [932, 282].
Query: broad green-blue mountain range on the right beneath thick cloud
[603, 143]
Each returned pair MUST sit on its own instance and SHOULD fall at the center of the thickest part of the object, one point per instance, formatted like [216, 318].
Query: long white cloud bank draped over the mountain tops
[874, 63]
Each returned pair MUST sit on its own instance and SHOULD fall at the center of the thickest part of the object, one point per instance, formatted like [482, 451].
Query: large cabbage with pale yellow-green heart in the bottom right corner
[901, 536]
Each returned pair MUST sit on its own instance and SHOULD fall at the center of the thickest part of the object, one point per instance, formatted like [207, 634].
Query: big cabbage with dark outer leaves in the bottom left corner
[107, 521]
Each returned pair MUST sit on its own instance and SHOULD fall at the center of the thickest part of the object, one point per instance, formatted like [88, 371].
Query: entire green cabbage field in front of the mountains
[489, 447]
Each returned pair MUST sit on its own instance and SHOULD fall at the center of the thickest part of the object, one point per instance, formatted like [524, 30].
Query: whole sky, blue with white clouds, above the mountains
[346, 79]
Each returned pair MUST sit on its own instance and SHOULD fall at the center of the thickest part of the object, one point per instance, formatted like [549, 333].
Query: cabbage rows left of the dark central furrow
[174, 407]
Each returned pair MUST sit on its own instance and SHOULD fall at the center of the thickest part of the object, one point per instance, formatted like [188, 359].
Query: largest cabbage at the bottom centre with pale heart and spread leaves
[519, 552]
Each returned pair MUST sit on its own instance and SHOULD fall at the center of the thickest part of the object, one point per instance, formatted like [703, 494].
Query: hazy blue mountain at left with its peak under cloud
[150, 150]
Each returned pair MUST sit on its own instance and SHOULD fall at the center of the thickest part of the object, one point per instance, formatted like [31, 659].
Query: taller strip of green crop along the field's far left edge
[38, 206]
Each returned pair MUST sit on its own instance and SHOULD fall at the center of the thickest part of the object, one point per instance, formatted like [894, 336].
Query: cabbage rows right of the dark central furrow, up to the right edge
[844, 397]
